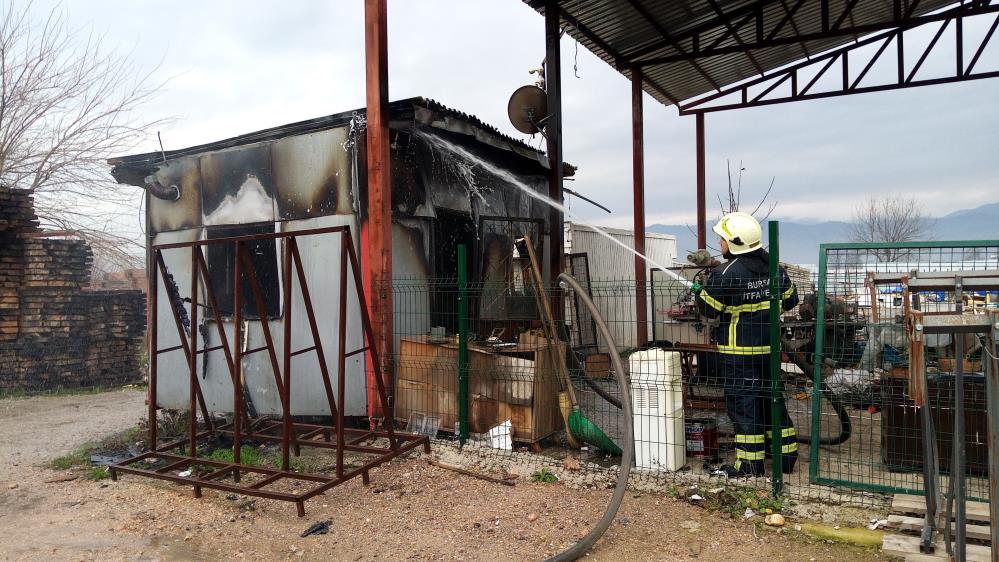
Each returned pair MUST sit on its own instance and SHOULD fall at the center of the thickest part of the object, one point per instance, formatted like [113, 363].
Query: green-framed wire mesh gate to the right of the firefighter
[859, 335]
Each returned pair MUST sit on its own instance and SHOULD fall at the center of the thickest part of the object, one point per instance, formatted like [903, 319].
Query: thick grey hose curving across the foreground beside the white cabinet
[628, 455]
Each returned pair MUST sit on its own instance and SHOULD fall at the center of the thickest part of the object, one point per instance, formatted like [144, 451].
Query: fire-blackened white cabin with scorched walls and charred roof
[312, 175]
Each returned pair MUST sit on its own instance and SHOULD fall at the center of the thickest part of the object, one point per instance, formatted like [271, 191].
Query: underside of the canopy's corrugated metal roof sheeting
[625, 32]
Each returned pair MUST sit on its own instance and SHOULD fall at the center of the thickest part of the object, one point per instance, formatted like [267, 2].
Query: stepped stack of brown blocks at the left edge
[54, 333]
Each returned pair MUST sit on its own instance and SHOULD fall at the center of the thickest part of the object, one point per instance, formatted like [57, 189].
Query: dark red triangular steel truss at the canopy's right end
[799, 80]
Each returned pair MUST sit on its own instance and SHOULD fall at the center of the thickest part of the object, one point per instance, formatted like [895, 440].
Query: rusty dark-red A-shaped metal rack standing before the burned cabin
[182, 455]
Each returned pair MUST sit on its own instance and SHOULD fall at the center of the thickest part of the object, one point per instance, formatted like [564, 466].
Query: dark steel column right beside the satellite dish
[553, 127]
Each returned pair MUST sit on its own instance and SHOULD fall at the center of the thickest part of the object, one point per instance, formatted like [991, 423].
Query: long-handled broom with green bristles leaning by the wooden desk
[577, 426]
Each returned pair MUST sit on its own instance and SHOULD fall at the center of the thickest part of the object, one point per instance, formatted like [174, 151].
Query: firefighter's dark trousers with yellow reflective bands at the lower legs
[748, 403]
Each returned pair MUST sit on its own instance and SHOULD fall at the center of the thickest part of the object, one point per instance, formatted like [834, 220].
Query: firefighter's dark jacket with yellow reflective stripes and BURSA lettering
[738, 292]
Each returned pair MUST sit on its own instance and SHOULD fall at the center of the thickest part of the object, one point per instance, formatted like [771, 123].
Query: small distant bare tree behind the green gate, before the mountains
[890, 218]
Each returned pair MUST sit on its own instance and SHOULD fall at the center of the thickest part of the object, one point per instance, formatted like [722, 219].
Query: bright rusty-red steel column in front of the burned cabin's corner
[376, 235]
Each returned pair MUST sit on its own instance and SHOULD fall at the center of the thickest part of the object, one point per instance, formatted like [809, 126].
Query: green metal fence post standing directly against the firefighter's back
[776, 396]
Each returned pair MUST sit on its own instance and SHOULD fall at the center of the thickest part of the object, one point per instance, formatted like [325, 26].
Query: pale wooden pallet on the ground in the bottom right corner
[906, 519]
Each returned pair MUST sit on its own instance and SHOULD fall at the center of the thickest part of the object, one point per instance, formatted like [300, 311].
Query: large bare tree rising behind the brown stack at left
[66, 106]
